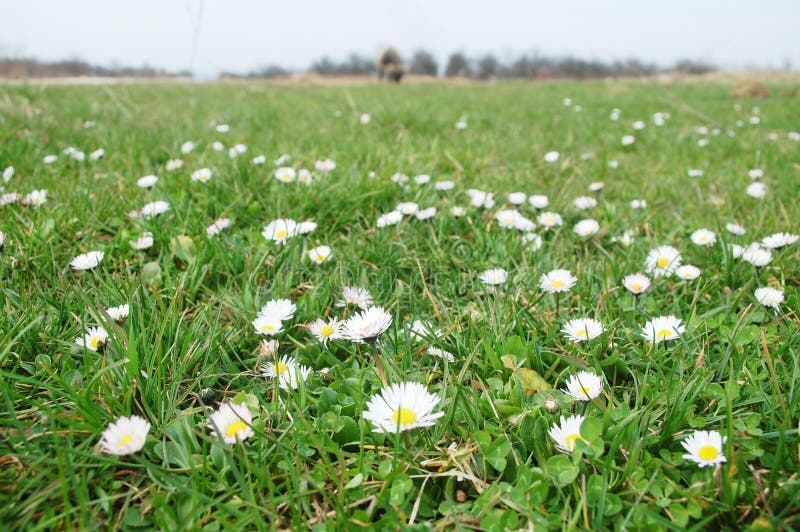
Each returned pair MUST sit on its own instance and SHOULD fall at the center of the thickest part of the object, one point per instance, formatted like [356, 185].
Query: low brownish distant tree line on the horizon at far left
[33, 68]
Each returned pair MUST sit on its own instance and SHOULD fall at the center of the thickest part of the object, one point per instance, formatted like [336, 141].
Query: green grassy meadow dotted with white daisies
[391, 307]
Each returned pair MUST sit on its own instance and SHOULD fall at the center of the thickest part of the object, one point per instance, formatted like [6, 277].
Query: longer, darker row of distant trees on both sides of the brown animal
[488, 66]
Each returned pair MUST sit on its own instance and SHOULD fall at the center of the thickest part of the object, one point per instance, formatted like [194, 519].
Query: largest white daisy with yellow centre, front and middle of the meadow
[401, 407]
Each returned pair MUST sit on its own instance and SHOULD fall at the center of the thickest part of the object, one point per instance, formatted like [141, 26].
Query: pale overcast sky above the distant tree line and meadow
[238, 35]
